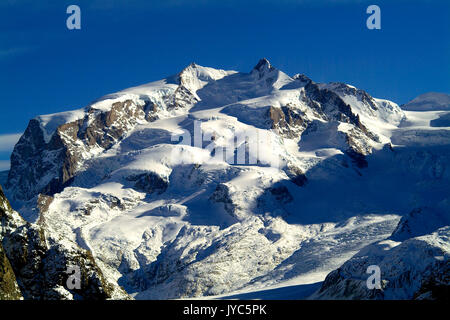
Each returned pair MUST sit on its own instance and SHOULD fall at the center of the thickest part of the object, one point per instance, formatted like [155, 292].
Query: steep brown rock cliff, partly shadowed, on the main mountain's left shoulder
[49, 167]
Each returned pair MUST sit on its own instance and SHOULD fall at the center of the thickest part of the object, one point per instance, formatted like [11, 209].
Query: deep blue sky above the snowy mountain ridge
[46, 68]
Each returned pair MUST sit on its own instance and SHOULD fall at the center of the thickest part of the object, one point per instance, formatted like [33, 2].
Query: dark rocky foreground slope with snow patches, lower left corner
[40, 264]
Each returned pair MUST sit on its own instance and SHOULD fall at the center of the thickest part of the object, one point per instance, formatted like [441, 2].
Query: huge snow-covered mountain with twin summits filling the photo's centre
[212, 182]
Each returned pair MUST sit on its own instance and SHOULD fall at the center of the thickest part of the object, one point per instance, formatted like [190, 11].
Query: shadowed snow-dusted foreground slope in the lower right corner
[417, 267]
